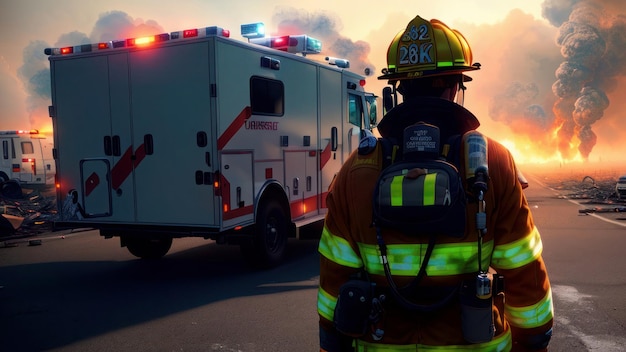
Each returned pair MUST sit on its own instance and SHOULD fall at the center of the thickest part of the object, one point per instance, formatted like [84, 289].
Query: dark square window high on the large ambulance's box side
[267, 96]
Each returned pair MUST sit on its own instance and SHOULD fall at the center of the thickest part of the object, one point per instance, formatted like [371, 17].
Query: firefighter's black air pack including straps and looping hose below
[421, 193]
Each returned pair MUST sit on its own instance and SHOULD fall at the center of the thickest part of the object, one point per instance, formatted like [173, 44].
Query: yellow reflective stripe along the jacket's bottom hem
[500, 343]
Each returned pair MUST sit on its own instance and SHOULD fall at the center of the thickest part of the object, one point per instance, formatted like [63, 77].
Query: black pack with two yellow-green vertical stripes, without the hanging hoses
[422, 193]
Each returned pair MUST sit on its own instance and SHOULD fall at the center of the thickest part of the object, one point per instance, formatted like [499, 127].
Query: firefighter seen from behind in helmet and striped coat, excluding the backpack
[444, 309]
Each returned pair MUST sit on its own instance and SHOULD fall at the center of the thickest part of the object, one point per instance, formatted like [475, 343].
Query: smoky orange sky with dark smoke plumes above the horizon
[550, 87]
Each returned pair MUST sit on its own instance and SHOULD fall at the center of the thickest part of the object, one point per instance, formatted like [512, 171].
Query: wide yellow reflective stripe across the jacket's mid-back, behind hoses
[446, 259]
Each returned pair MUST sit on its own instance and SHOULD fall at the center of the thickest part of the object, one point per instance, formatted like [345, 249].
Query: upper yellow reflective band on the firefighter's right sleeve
[518, 253]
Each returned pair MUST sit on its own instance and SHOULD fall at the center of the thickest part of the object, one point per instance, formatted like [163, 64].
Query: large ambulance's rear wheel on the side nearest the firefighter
[270, 239]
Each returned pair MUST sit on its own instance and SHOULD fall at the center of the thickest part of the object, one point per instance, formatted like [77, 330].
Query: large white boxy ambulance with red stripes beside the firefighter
[194, 133]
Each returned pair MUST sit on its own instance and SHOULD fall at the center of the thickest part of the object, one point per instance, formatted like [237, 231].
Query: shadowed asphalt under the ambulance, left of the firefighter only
[85, 293]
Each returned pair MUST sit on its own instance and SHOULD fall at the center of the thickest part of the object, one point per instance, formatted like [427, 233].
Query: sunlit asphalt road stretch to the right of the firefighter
[585, 257]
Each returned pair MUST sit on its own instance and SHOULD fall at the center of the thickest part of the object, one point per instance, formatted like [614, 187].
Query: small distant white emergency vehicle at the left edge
[26, 157]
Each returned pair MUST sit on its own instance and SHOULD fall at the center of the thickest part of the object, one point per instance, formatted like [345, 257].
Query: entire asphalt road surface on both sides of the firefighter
[85, 293]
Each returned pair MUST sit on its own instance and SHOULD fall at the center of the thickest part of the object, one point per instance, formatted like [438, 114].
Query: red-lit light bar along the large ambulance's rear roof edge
[140, 41]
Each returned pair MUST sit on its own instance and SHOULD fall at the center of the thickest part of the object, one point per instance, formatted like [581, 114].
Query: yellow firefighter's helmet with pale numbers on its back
[427, 48]
